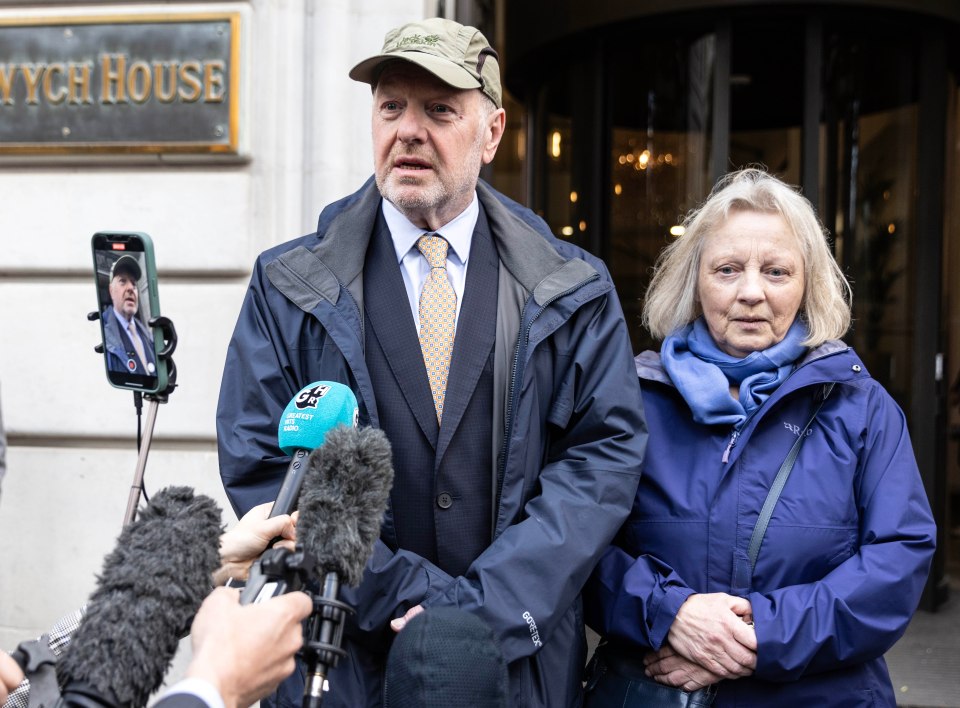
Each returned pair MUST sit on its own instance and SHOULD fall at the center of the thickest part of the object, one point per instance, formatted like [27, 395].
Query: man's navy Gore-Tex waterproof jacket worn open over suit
[572, 430]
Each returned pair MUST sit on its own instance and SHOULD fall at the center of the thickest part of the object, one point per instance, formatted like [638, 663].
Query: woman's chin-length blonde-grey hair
[672, 301]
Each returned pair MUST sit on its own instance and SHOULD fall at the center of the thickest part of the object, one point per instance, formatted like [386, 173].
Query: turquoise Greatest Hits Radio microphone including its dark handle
[316, 409]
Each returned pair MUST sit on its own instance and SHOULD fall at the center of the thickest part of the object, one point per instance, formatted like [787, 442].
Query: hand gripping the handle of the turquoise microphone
[245, 542]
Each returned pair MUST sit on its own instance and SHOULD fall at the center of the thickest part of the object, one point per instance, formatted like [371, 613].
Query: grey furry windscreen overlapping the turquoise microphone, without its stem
[344, 497]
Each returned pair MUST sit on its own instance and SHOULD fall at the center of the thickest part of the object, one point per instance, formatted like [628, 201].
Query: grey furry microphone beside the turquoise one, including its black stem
[344, 497]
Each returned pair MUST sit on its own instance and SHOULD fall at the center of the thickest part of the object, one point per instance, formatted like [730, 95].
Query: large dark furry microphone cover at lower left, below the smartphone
[151, 587]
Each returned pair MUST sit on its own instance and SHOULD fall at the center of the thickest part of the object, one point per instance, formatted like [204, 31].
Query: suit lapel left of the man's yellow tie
[385, 302]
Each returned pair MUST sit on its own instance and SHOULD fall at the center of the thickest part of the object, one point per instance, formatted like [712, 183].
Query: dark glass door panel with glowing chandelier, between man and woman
[658, 159]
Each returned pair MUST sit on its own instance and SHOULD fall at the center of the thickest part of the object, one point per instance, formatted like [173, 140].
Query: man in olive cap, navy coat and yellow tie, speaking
[493, 355]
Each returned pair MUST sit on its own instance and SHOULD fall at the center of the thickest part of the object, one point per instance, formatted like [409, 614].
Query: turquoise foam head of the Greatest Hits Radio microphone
[316, 409]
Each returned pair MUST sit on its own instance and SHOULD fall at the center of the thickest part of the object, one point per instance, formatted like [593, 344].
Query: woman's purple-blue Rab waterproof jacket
[844, 559]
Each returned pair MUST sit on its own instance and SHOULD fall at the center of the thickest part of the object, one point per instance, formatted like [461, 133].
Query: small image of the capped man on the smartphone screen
[128, 344]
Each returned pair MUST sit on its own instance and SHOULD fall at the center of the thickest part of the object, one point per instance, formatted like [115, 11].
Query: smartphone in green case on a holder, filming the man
[126, 278]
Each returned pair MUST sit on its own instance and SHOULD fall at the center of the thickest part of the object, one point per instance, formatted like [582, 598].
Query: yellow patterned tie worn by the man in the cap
[438, 316]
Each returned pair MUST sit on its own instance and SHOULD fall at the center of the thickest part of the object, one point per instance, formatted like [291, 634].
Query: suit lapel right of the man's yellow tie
[476, 331]
